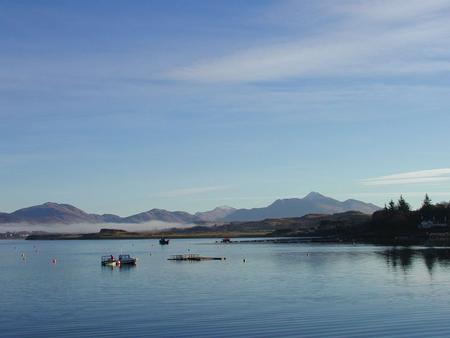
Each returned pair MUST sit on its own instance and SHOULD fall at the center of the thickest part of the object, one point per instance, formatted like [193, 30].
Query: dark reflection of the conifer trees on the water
[406, 257]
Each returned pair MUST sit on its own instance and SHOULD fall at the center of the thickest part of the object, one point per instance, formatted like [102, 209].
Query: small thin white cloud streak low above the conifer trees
[412, 177]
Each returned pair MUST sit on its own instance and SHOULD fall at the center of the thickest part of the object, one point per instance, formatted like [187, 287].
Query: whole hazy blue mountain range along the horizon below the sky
[314, 203]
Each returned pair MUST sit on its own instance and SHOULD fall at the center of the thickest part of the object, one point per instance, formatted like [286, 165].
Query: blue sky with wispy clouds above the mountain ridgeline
[124, 106]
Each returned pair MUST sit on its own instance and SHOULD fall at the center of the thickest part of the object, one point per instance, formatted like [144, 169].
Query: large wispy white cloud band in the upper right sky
[372, 38]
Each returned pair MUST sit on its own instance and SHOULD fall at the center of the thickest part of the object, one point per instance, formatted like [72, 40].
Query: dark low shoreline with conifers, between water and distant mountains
[396, 224]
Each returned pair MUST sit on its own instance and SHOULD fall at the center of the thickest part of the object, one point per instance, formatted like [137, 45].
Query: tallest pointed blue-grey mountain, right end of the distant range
[313, 203]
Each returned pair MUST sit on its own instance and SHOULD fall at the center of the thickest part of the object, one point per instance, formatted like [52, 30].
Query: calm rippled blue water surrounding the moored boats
[284, 290]
